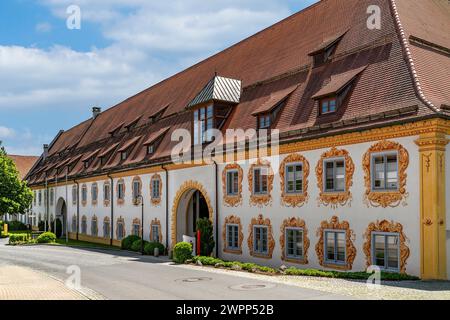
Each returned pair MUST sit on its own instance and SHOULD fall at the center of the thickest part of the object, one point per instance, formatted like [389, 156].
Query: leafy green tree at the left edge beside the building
[15, 195]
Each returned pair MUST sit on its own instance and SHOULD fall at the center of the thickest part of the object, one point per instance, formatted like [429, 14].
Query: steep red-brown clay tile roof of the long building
[276, 59]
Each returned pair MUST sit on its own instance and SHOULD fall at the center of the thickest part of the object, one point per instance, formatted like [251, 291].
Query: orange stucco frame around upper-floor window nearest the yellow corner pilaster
[386, 198]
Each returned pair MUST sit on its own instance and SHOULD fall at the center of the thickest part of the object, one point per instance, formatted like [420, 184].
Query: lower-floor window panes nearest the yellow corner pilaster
[385, 251]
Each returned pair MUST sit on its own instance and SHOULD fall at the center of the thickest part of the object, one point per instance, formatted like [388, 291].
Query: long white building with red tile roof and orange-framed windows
[358, 95]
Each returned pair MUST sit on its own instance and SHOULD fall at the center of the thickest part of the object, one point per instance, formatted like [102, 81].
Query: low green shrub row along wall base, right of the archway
[251, 267]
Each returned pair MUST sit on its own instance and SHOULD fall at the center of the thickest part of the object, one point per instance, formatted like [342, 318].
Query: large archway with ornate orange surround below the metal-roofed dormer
[191, 194]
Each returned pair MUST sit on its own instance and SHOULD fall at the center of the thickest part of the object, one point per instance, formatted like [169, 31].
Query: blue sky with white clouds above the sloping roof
[51, 76]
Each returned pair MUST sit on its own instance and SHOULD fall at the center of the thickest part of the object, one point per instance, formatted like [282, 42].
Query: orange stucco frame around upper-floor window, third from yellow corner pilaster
[294, 200]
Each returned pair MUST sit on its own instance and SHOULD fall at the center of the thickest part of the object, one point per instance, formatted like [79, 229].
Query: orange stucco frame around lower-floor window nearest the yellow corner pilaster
[391, 227]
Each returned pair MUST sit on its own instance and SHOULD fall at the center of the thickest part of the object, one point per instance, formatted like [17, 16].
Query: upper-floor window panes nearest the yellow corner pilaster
[385, 171]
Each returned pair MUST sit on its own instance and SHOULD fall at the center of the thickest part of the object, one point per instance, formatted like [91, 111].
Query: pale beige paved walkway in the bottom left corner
[19, 283]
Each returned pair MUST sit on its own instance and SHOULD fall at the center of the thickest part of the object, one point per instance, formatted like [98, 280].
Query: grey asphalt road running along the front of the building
[121, 275]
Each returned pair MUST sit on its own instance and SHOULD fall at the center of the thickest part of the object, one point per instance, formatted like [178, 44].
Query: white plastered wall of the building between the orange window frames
[357, 213]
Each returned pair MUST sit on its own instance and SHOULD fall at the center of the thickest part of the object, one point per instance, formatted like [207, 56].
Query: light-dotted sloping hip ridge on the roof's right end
[409, 59]
